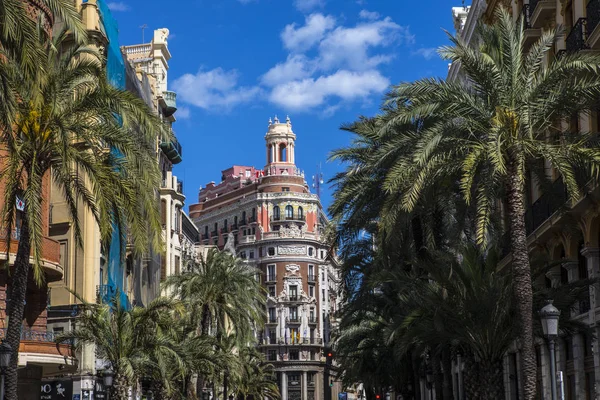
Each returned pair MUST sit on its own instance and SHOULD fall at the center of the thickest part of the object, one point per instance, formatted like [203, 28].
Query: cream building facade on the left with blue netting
[96, 273]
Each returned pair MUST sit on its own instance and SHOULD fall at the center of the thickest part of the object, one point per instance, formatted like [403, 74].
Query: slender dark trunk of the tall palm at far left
[17, 288]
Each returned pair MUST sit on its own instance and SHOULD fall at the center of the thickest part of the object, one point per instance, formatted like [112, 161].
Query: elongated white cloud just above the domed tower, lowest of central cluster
[345, 85]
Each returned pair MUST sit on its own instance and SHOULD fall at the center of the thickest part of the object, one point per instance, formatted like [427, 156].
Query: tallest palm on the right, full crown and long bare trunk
[486, 134]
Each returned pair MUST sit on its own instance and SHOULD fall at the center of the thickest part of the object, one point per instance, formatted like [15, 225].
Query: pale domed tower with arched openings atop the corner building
[280, 148]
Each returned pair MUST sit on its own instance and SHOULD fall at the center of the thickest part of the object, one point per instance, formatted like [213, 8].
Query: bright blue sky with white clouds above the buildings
[235, 63]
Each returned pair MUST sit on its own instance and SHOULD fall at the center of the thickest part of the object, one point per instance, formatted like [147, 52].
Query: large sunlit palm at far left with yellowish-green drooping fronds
[96, 142]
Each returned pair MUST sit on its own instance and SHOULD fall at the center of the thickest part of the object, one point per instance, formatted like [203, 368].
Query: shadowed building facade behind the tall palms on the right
[576, 251]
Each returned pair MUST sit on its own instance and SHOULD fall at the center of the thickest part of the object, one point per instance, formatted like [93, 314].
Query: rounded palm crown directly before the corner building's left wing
[224, 292]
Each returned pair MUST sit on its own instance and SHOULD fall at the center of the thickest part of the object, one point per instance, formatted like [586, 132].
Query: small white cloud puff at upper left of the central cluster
[303, 38]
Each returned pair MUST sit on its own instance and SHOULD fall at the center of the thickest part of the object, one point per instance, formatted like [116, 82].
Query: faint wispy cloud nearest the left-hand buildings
[216, 89]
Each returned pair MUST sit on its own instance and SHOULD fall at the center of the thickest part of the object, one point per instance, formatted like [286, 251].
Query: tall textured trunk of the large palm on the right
[521, 272]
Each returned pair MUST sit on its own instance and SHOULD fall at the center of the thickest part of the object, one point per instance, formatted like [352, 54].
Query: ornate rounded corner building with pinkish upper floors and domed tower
[270, 219]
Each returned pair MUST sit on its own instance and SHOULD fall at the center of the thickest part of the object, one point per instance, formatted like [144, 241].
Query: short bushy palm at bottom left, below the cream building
[134, 342]
